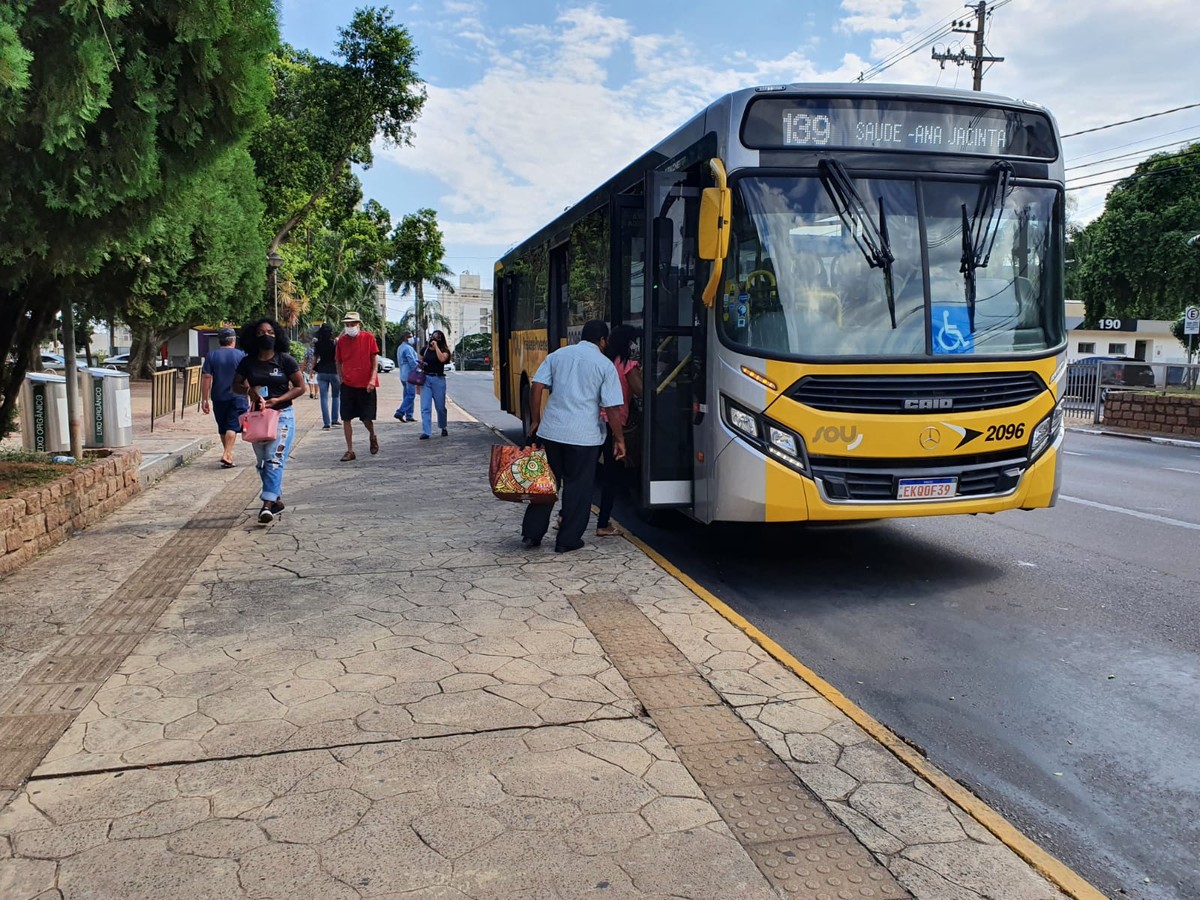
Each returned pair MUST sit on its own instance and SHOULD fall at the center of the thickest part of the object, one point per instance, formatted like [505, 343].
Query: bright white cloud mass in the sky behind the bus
[563, 105]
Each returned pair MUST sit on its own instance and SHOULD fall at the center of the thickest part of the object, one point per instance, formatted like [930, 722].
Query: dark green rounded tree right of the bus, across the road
[1133, 262]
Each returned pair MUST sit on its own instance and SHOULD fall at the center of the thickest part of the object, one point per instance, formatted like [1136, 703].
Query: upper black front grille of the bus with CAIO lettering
[907, 395]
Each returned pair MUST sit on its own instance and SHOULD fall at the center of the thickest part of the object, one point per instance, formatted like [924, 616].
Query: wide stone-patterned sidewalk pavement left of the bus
[383, 695]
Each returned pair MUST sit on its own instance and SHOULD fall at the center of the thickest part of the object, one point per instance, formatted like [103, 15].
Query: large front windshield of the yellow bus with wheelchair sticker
[806, 277]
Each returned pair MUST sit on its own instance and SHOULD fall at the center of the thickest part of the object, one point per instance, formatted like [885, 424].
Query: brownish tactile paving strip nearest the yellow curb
[799, 847]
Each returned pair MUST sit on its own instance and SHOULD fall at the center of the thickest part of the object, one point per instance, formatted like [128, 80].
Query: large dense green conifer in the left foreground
[106, 111]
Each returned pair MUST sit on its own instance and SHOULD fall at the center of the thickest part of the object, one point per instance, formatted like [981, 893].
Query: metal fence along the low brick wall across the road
[1091, 381]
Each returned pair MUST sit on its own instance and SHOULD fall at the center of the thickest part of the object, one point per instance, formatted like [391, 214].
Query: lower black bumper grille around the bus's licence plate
[845, 481]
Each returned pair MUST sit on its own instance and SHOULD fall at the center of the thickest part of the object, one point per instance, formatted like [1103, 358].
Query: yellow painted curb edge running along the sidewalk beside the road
[1054, 871]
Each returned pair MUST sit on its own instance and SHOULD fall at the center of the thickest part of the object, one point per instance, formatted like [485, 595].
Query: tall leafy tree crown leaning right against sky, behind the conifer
[326, 116]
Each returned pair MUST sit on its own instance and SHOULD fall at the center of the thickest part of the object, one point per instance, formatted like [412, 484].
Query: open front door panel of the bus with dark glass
[669, 345]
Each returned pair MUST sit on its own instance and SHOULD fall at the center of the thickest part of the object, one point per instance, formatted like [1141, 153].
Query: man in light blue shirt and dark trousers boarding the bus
[581, 382]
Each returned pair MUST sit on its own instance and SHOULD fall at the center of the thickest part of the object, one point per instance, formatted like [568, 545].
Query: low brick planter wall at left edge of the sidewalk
[37, 520]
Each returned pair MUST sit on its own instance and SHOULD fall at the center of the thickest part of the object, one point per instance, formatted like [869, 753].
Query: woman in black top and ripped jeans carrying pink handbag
[272, 379]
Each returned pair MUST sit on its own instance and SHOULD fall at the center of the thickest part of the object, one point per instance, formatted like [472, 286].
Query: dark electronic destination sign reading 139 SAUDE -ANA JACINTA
[878, 124]
